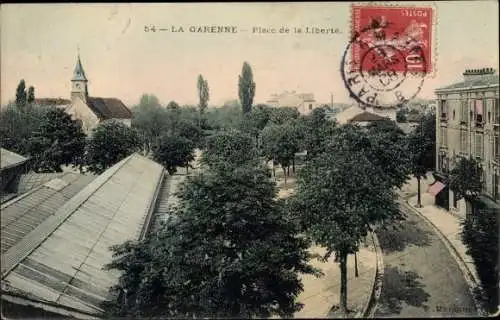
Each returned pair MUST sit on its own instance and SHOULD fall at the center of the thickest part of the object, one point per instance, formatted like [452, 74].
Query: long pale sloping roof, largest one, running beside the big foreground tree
[61, 260]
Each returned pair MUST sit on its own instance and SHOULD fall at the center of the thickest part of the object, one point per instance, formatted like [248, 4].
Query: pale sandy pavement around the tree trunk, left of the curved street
[320, 294]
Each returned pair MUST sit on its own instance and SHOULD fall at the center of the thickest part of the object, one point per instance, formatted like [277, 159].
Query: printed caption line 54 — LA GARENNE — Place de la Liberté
[236, 29]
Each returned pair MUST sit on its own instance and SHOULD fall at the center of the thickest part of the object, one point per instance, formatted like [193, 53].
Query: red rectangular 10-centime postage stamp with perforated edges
[401, 36]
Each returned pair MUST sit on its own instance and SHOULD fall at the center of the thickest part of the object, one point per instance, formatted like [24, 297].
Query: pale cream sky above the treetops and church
[39, 43]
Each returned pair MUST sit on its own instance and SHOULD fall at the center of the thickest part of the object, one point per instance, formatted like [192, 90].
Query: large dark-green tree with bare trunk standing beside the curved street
[339, 195]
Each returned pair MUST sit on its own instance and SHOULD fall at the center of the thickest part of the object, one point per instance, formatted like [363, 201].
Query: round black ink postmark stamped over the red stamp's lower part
[382, 67]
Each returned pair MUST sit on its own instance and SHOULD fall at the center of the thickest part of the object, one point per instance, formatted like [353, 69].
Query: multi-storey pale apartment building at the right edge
[468, 125]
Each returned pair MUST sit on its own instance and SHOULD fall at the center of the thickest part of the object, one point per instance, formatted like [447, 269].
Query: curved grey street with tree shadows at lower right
[421, 278]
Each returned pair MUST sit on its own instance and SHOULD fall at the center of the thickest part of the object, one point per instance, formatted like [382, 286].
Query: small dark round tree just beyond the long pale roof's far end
[173, 151]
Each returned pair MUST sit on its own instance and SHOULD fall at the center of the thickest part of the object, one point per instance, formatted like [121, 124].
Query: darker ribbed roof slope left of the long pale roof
[24, 213]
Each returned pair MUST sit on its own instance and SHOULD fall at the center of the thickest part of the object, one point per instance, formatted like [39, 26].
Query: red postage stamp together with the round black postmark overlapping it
[389, 55]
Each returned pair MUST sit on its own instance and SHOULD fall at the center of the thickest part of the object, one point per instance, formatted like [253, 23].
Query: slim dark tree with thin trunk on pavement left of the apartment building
[421, 144]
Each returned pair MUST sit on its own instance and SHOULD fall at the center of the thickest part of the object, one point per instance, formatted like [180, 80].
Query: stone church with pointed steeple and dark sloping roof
[89, 110]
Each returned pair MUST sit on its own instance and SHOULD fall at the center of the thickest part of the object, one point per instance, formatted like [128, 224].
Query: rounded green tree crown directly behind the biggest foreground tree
[229, 147]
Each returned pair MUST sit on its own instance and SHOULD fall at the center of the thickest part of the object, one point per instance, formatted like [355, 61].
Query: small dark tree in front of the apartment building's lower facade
[466, 182]
